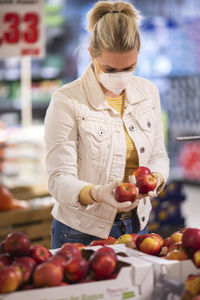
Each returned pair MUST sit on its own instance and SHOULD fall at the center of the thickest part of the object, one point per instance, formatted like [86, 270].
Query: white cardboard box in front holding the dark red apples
[134, 281]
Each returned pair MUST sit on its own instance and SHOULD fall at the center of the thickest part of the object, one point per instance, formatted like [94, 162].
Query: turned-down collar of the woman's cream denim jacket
[96, 97]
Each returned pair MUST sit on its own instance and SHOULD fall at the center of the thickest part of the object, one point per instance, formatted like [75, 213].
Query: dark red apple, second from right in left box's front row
[76, 269]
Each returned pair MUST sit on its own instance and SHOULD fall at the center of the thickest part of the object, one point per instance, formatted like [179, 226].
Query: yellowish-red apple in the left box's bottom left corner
[9, 281]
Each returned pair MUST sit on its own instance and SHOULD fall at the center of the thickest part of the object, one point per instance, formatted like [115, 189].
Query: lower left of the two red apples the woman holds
[126, 191]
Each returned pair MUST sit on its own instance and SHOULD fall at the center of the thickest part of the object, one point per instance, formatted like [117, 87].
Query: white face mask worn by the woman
[114, 82]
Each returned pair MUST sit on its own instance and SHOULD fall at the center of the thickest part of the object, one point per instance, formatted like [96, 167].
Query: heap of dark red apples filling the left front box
[24, 267]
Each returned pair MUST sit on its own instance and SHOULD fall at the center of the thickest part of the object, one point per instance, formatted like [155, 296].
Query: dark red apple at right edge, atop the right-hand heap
[191, 240]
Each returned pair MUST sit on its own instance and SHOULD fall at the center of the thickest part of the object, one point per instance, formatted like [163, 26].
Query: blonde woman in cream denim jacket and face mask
[98, 129]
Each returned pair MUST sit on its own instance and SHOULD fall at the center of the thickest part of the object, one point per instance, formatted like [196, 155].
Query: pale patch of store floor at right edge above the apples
[191, 206]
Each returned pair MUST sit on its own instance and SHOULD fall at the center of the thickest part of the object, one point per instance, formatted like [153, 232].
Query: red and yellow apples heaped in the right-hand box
[180, 245]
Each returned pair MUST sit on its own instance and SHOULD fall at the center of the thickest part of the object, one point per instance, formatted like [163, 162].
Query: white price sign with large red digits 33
[21, 28]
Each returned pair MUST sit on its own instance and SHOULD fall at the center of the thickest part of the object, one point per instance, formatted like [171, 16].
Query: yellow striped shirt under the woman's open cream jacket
[131, 152]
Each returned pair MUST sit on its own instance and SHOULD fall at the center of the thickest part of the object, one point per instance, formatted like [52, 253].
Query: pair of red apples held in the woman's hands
[145, 182]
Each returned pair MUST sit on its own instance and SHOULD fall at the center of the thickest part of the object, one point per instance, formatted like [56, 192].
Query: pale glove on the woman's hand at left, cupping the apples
[105, 193]
